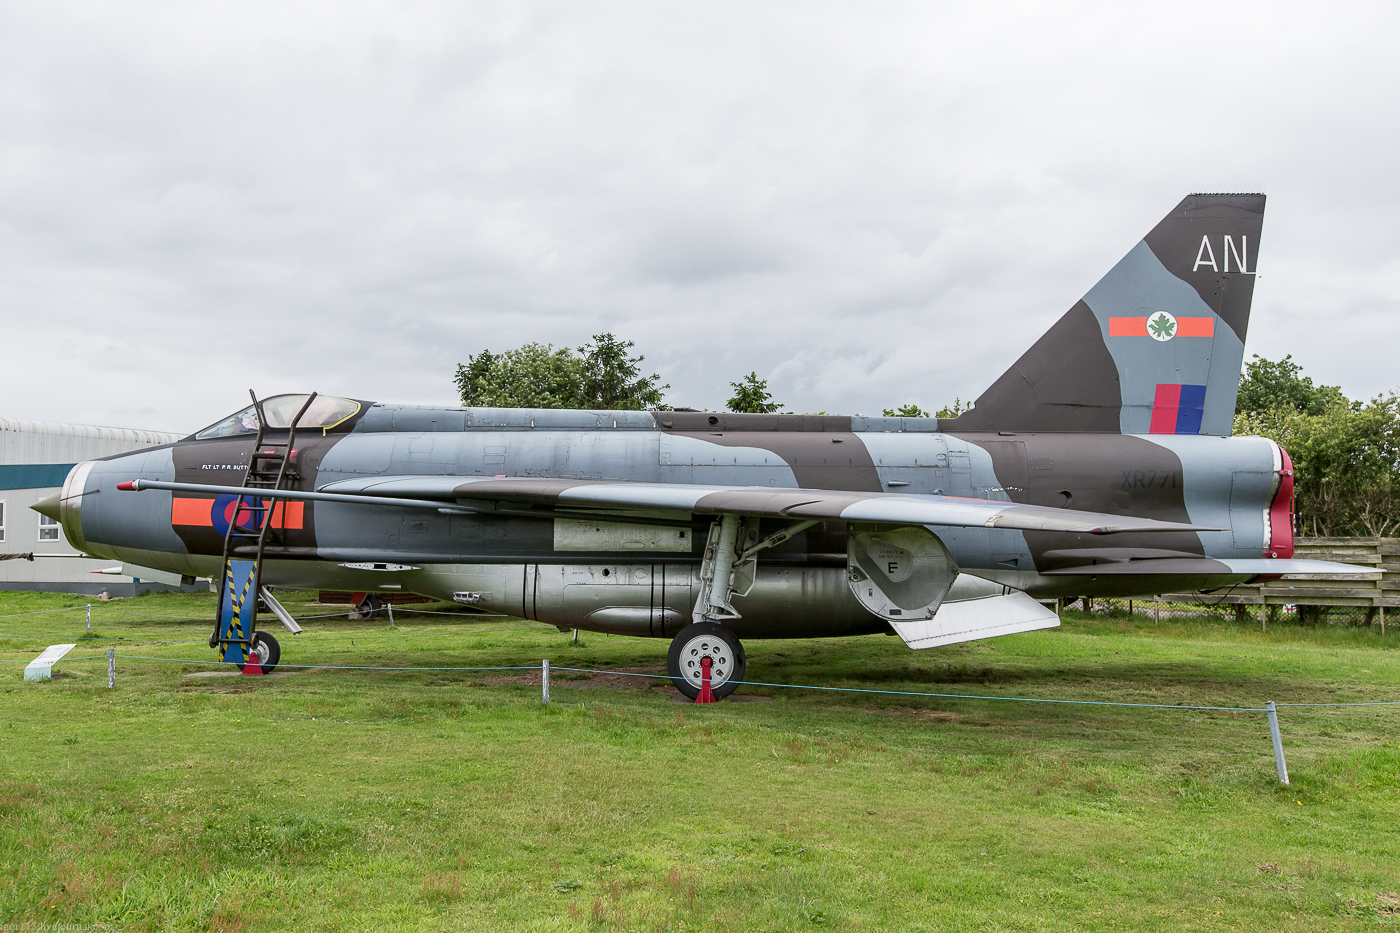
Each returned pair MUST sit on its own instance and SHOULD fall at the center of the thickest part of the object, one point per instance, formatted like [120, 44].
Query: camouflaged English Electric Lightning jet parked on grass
[1101, 464]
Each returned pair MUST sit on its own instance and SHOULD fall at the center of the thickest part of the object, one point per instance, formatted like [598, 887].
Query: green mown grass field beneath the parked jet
[454, 801]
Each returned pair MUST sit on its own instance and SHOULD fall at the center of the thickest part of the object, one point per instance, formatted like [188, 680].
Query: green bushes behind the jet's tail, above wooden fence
[1346, 463]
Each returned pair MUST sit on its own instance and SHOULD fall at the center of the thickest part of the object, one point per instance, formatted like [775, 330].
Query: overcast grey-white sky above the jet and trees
[866, 204]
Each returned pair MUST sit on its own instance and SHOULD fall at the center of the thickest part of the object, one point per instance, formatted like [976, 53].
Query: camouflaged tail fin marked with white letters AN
[1154, 348]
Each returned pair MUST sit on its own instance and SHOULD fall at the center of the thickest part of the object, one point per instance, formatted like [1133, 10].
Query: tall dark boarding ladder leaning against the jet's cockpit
[269, 467]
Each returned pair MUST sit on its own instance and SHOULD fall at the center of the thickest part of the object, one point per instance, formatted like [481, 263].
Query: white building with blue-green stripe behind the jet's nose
[36, 459]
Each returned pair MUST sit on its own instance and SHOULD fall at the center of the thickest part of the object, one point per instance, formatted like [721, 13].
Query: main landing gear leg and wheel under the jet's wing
[708, 647]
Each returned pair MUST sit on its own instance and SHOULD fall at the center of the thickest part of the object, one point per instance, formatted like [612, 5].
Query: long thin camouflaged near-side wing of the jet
[752, 501]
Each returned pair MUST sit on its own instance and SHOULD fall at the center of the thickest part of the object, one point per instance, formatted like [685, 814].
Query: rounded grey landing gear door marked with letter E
[899, 574]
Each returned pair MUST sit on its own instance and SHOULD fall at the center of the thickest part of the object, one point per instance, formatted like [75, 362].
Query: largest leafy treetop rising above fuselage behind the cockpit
[598, 376]
